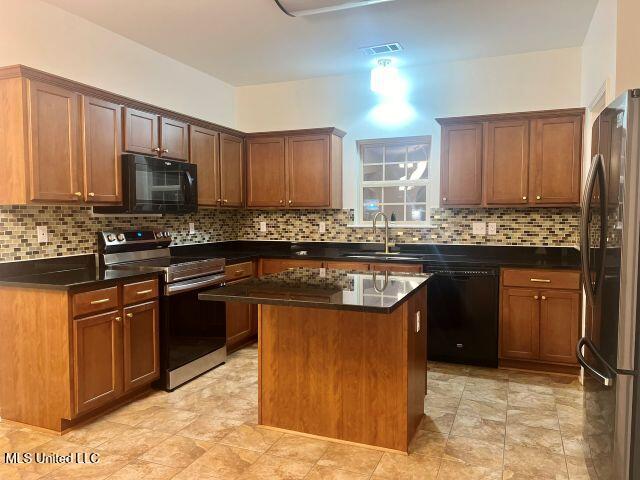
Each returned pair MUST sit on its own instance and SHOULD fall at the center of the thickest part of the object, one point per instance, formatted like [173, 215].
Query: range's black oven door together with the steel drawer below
[193, 332]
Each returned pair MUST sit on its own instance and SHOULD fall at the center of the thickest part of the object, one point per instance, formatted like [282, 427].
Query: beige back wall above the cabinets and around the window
[534, 81]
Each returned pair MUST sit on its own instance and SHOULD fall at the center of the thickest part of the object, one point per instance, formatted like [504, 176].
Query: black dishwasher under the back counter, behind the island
[462, 315]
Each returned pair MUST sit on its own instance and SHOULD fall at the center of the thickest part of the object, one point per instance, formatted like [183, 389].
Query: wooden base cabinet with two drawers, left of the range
[85, 351]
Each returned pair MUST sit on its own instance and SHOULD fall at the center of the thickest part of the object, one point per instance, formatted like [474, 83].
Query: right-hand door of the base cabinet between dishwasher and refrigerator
[559, 317]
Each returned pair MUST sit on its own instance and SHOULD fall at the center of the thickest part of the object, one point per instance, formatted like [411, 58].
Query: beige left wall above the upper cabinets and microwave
[42, 36]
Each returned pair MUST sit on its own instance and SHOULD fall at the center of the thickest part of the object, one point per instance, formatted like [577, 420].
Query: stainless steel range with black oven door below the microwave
[192, 333]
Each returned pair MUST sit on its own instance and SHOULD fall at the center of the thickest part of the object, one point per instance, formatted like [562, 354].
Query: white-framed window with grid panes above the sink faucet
[395, 179]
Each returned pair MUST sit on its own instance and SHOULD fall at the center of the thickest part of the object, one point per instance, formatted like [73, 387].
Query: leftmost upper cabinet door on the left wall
[54, 143]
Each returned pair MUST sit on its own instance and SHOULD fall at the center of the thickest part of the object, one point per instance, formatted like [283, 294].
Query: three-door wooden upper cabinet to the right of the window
[520, 159]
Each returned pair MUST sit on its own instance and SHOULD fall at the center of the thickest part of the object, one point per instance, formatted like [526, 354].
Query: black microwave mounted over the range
[155, 185]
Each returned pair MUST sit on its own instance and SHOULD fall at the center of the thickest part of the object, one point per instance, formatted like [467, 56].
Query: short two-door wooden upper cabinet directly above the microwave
[149, 134]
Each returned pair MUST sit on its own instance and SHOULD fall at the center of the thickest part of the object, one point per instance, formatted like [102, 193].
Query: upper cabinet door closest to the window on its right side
[461, 165]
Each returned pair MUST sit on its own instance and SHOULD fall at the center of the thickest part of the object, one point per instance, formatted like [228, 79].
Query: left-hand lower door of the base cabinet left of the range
[97, 360]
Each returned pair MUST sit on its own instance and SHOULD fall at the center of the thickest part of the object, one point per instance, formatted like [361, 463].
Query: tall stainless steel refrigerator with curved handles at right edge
[610, 241]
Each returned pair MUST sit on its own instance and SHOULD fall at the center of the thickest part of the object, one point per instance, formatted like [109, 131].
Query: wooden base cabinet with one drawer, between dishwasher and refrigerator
[539, 319]
